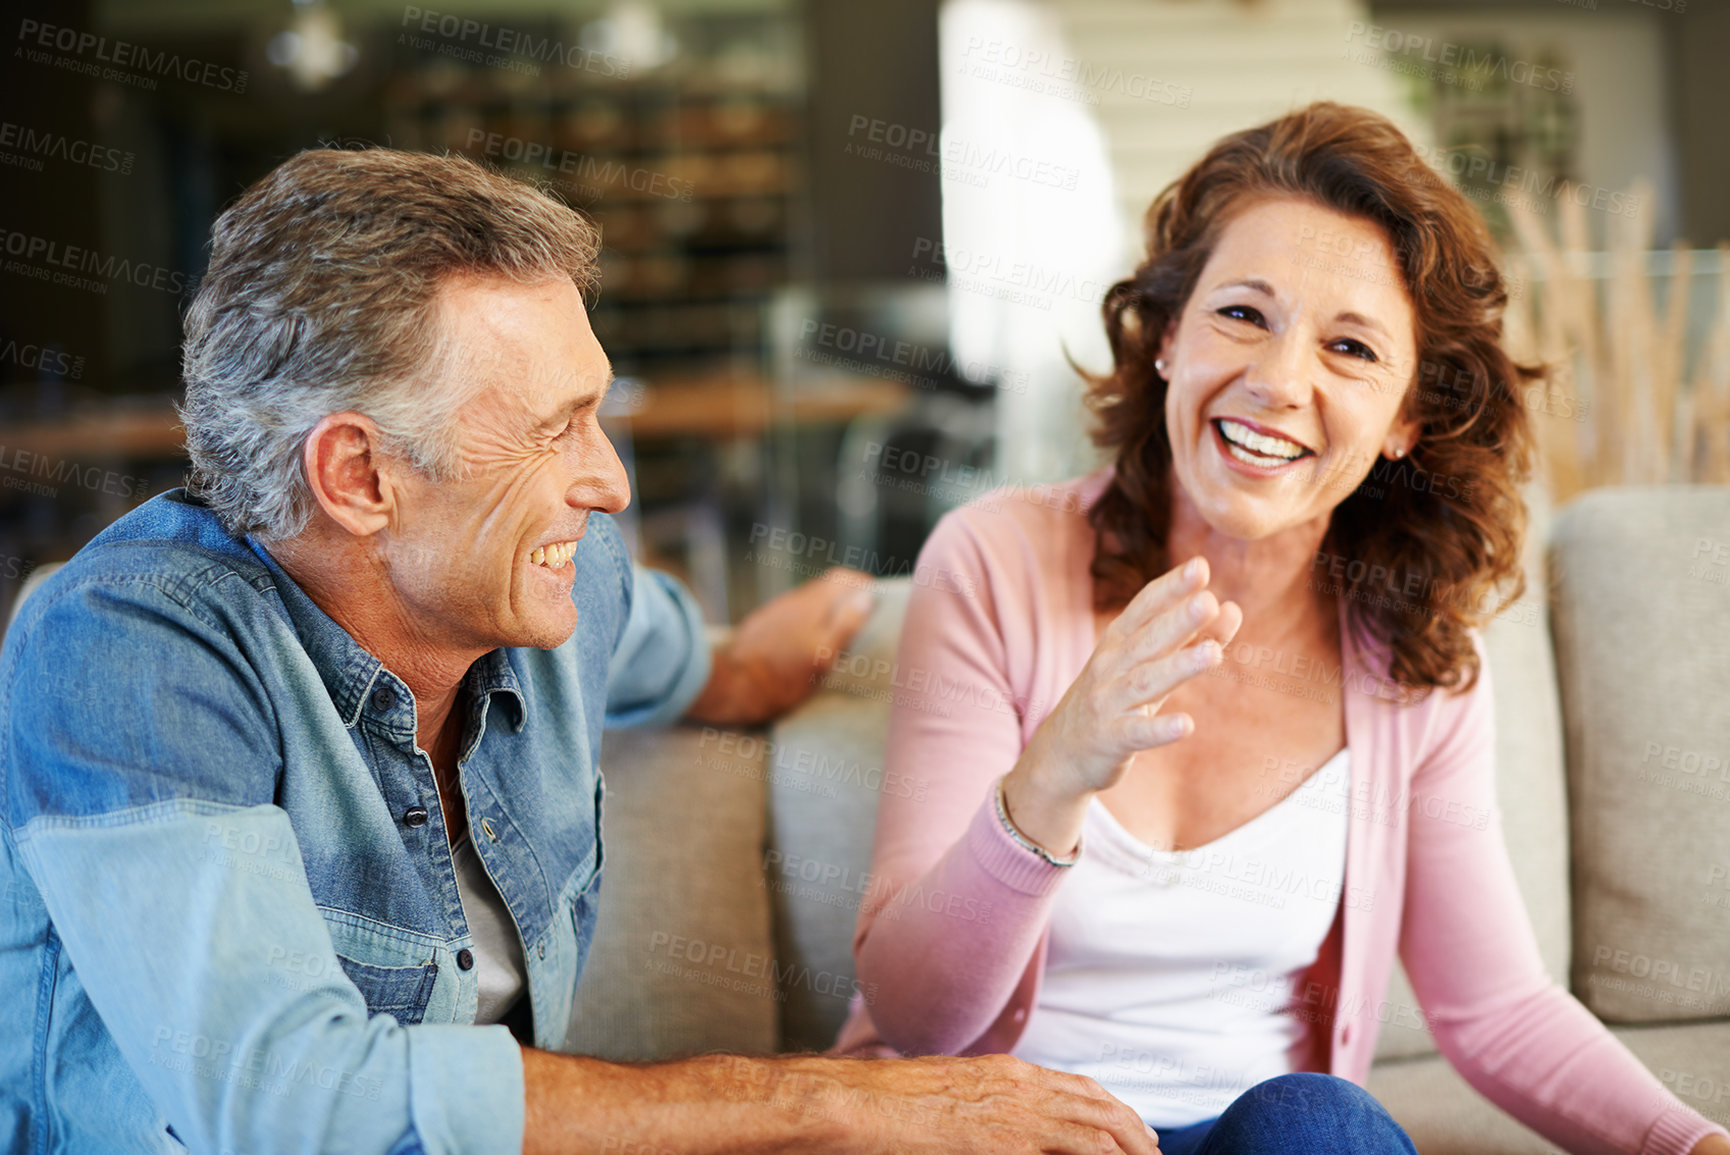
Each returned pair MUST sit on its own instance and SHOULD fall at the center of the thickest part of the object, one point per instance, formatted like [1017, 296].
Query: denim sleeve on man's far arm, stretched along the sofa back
[662, 660]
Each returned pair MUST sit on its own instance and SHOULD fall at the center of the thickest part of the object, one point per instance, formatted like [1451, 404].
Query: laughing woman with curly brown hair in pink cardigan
[1250, 751]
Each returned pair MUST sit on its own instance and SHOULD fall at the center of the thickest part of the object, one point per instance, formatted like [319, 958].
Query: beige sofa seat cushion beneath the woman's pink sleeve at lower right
[1445, 1116]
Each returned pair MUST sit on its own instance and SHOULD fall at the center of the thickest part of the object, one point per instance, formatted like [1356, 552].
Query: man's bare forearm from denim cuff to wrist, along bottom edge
[710, 1106]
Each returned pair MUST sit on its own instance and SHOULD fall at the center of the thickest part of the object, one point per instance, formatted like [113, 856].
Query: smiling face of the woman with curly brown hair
[1288, 367]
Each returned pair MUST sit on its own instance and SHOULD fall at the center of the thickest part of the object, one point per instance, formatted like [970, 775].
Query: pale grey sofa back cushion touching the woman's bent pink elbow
[826, 777]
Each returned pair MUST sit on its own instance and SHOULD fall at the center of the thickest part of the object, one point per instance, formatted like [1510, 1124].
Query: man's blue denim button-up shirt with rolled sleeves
[229, 917]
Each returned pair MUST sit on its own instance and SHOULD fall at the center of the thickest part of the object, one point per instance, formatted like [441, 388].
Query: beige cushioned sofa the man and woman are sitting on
[736, 860]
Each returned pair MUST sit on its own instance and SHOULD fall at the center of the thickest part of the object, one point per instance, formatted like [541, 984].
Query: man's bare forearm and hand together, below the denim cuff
[812, 1106]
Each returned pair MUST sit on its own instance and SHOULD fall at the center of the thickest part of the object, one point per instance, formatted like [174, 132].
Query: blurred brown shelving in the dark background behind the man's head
[693, 170]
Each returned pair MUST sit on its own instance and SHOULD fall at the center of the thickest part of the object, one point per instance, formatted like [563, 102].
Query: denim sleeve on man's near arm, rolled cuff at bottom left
[176, 888]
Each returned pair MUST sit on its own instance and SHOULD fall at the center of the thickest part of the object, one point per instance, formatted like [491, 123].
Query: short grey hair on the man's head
[321, 298]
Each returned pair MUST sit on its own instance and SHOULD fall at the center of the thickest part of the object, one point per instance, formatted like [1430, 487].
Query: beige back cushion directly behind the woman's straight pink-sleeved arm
[1532, 786]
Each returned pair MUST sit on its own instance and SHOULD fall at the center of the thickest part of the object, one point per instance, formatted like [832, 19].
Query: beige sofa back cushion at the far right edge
[1643, 642]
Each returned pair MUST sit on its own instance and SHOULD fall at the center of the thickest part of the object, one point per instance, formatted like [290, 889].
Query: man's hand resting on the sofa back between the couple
[772, 661]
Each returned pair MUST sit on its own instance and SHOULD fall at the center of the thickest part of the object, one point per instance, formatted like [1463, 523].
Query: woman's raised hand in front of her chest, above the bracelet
[1167, 635]
